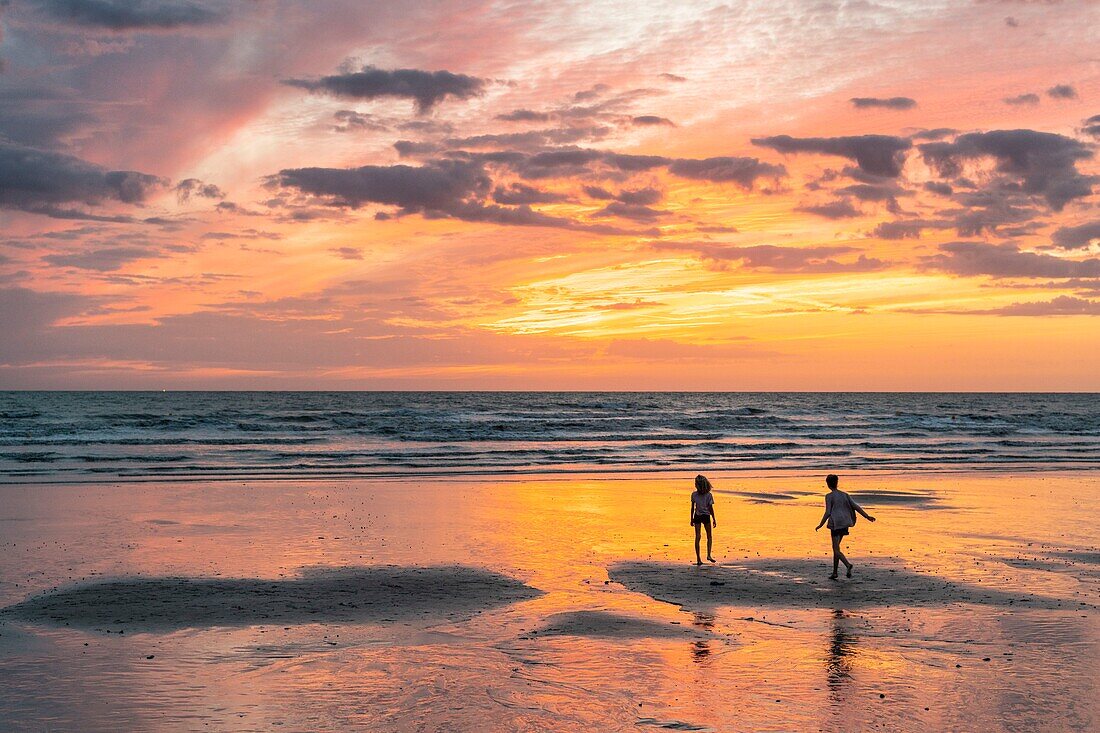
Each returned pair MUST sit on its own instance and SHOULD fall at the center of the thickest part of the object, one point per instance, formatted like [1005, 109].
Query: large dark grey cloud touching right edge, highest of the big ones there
[1044, 162]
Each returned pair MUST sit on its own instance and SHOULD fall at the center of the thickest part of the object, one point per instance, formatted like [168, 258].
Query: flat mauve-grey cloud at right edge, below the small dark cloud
[971, 259]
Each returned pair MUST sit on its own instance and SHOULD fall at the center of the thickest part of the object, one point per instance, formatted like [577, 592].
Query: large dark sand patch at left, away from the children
[376, 594]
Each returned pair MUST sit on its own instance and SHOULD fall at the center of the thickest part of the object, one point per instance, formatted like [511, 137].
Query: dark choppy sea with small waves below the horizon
[74, 437]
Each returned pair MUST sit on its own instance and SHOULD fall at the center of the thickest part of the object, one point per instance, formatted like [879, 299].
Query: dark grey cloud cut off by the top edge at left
[136, 15]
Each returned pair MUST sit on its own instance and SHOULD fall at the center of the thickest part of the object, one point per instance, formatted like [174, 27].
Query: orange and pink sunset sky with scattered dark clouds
[599, 195]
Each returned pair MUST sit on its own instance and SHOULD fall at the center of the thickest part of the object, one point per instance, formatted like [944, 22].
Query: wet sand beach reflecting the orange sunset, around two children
[549, 605]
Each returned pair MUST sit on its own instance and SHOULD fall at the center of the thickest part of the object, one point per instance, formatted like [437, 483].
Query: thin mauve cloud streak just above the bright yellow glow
[780, 259]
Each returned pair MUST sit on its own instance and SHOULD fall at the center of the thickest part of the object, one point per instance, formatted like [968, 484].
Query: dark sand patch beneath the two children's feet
[804, 585]
